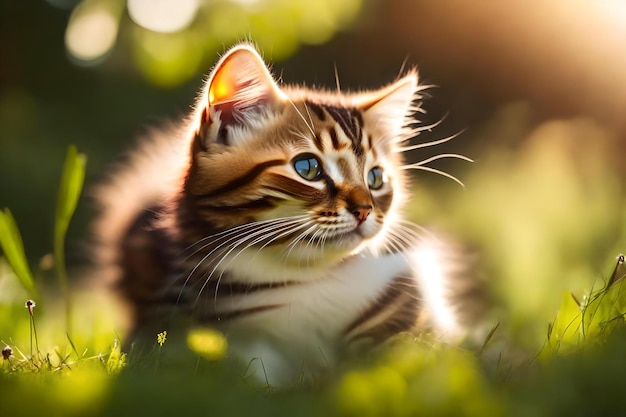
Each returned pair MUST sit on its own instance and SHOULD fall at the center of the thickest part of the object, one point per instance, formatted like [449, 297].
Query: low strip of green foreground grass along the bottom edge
[578, 372]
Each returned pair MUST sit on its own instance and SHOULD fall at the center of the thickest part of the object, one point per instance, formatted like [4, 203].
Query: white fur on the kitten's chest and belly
[301, 336]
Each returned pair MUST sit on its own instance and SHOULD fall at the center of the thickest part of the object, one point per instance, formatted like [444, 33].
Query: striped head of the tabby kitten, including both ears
[299, 171]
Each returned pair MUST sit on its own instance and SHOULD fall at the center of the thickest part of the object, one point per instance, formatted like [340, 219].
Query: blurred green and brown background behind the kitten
[538, 89]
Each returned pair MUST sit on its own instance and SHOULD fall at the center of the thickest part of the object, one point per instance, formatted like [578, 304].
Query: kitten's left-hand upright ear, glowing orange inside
[240, 90]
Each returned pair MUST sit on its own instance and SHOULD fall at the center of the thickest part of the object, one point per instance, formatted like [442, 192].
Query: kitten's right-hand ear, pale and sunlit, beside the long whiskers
[391, 107]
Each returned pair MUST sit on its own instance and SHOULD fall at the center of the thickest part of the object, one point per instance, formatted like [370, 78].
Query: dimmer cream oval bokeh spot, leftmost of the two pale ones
[91, 32]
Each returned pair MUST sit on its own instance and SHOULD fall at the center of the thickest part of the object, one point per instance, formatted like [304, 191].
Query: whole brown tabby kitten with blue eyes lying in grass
[274, 215]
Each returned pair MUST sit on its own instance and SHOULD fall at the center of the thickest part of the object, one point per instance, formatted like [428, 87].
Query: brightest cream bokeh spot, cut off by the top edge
[165, 16]
